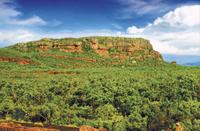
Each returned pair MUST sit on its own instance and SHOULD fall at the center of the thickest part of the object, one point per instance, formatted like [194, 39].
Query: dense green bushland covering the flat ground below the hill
[138, 98]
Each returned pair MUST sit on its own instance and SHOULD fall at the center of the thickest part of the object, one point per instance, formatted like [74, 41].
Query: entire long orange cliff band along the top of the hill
[110, 47]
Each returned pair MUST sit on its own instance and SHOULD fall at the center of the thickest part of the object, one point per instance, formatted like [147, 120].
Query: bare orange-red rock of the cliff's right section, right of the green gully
[125, 50]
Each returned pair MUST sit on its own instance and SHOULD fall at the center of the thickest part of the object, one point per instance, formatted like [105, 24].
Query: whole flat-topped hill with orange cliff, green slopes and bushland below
[112, 82]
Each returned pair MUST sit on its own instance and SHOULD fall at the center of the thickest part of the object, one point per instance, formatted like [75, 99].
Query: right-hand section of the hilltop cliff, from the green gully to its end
[125, 48]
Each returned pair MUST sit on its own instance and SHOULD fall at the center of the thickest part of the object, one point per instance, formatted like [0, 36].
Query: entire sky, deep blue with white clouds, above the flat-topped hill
[172, 26]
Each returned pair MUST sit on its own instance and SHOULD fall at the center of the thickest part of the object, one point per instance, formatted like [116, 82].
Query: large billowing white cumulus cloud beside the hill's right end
[177, 32]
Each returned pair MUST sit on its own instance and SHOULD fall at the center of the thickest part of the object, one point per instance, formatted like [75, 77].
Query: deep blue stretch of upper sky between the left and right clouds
[98, 14]
